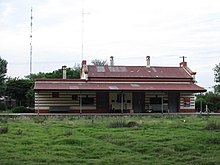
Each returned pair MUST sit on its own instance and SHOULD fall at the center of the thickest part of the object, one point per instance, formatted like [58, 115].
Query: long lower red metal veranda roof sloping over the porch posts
[114, 86]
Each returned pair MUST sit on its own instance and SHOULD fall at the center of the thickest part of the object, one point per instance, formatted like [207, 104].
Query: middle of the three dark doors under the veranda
[139, 102]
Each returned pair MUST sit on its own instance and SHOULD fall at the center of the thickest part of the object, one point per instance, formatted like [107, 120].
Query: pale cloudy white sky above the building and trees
[129, 30]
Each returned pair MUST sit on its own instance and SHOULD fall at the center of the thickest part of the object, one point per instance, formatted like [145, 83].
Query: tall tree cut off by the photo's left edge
[3, 71]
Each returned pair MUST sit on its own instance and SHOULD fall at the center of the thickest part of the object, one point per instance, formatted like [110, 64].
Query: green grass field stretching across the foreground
[110, 140]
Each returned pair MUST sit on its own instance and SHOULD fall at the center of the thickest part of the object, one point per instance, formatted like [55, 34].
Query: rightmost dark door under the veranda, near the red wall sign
[173, 101]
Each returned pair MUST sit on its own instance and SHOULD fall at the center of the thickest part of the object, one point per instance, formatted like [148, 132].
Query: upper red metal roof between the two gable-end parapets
[137, 72]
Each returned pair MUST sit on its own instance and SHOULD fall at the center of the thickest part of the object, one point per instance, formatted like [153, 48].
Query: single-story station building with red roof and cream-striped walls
[120, 89]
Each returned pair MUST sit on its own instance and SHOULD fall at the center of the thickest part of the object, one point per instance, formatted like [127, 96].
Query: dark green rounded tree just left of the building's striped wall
[17, 89]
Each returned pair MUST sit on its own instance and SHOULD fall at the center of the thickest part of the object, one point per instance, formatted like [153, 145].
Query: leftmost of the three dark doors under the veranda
[102, 102]
